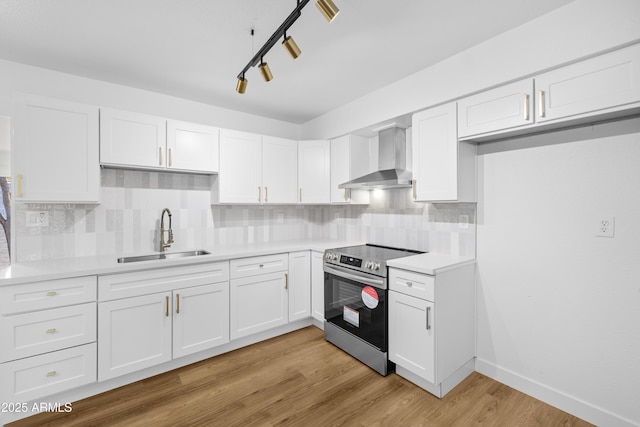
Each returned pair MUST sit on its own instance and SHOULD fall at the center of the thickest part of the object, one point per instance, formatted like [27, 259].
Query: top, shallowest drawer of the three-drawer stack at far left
[47, 294]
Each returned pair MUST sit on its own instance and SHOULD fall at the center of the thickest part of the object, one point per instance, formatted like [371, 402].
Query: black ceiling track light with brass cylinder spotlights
[329, 11]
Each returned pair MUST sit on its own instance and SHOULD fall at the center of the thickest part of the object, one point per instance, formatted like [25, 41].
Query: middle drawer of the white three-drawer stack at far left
[39, 332]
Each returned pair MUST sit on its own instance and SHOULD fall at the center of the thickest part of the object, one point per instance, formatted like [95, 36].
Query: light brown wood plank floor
[299, 379]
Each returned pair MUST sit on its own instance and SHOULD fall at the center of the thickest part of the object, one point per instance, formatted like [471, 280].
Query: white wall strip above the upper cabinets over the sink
[16, 77]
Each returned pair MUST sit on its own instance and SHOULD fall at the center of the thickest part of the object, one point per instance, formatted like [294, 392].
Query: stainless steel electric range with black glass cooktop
[355, 301]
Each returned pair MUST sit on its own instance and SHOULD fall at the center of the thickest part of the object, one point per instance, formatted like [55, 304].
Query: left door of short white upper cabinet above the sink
[132, 139]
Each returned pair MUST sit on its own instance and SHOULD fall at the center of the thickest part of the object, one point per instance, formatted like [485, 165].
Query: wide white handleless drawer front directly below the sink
[125, 285]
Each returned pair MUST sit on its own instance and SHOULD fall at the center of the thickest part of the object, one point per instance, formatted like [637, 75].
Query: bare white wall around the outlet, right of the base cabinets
[558, 308]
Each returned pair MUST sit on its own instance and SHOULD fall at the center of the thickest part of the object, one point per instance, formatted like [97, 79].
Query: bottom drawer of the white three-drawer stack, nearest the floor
[40, 376]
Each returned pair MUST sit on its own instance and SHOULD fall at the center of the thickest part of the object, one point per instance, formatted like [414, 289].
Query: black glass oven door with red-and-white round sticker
[357, 304]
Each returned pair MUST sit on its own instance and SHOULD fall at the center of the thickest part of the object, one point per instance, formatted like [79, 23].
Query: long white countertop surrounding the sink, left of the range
[107, 264]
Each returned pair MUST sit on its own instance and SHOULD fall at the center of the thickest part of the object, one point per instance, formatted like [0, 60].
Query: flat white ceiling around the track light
[194, 49]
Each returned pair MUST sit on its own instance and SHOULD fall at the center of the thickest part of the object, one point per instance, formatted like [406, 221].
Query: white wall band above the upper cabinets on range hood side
[580, 29]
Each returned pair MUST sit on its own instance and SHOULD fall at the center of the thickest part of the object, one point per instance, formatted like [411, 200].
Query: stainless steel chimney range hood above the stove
[392, 164]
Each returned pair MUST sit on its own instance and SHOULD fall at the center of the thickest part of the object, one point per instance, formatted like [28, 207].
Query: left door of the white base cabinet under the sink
[133, 334]
